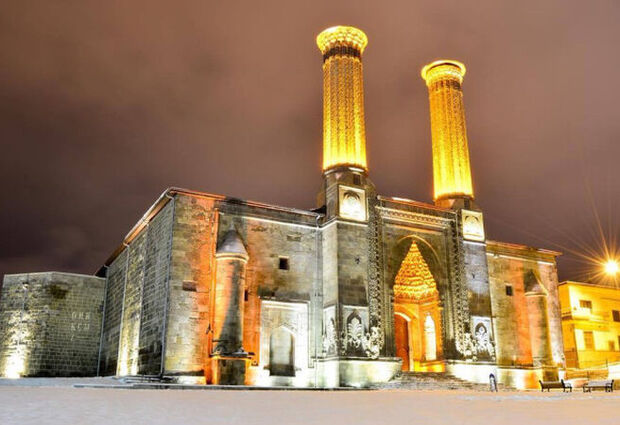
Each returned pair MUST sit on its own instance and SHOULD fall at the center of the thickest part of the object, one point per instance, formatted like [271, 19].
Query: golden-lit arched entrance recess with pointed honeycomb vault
[417, 315]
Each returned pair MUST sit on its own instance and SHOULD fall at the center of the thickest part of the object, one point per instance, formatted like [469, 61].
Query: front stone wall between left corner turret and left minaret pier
[272, 235]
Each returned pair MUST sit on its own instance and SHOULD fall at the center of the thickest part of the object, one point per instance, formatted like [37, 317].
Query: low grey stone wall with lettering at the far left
[50, 324]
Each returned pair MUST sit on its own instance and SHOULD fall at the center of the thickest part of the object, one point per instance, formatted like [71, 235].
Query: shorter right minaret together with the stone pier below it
[453, 189]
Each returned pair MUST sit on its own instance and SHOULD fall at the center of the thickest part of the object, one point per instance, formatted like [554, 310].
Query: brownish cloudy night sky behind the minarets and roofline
[104, 104]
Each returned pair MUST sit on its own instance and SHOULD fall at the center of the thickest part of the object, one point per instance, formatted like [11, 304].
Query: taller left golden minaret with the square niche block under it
[345, 171]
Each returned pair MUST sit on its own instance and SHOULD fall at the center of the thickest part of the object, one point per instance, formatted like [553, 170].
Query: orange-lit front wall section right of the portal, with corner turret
[526, 310]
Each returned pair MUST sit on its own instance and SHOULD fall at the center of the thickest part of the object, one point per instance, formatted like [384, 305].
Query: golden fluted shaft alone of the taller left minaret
[344, 133]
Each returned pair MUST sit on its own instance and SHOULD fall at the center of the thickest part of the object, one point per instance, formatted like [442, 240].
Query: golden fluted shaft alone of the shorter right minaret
[451, 169]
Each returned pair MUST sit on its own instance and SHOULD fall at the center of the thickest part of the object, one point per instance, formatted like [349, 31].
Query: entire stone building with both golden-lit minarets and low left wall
[209, 289]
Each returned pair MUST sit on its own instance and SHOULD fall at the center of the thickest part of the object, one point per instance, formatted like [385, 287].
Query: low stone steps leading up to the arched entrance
[433, 381]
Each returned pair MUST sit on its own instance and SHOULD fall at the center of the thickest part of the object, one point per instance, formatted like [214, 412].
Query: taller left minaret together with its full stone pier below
[349, 200]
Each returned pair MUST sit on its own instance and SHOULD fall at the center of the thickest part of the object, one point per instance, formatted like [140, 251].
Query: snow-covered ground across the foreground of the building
[54, 402]
